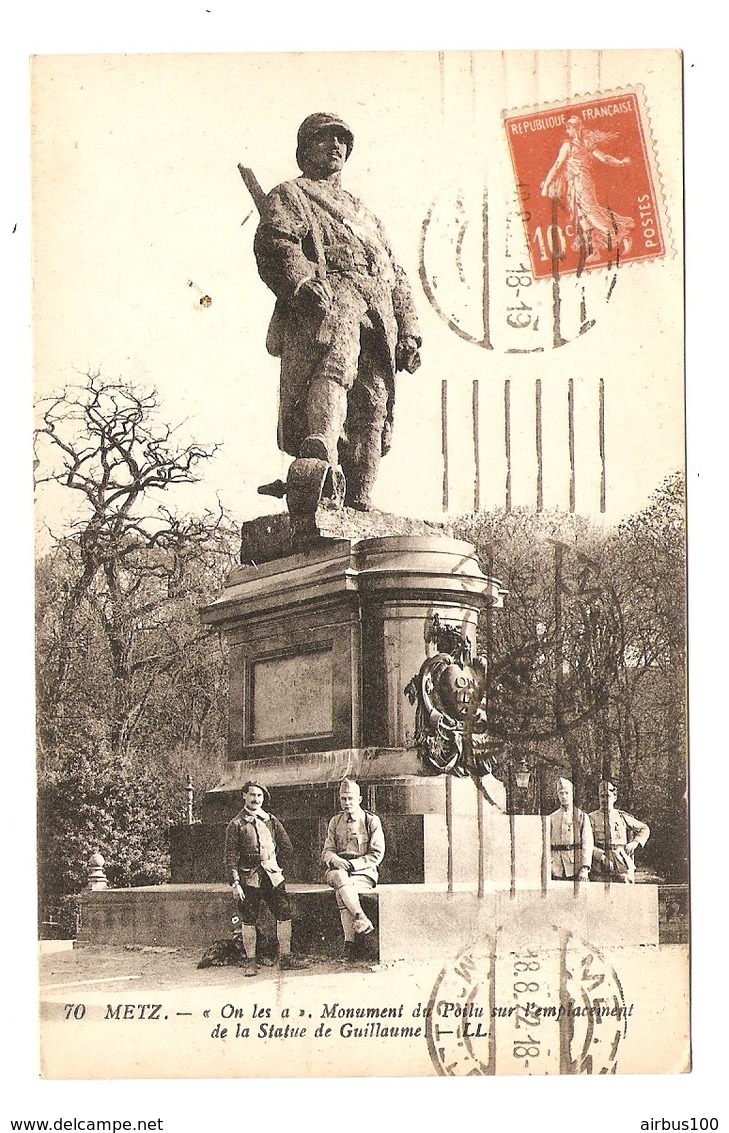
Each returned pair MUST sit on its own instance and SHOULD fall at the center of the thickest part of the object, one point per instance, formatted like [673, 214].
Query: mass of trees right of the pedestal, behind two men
[588, 658]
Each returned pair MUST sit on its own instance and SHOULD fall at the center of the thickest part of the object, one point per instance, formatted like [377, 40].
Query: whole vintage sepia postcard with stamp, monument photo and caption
[361, 565]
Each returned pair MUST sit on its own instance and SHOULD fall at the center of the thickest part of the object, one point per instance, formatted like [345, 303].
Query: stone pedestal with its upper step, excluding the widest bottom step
[324, 643]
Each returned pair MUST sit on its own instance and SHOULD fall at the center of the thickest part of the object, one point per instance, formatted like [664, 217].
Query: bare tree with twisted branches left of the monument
[129, 557]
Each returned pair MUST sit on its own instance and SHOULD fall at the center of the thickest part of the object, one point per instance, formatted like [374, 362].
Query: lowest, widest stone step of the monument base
[412, 922]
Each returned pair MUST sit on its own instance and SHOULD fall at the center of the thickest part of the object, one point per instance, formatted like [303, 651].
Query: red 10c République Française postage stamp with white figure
[587, 184]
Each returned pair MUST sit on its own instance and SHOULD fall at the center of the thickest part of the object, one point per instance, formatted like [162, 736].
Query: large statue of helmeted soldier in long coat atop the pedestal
[344, 320]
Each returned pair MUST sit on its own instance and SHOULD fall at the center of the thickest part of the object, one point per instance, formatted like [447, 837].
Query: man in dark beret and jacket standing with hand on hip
[255, 841]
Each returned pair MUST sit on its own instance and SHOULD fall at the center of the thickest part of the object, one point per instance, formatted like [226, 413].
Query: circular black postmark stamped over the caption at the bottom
[555, 1009]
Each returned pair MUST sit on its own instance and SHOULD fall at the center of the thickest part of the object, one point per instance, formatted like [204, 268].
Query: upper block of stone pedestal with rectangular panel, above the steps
[324, 643]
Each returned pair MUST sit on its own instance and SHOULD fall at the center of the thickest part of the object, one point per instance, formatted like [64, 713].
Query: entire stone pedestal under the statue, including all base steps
[324, 642]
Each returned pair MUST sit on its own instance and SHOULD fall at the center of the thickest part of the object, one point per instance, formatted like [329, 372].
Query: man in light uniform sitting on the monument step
[353, 851]
